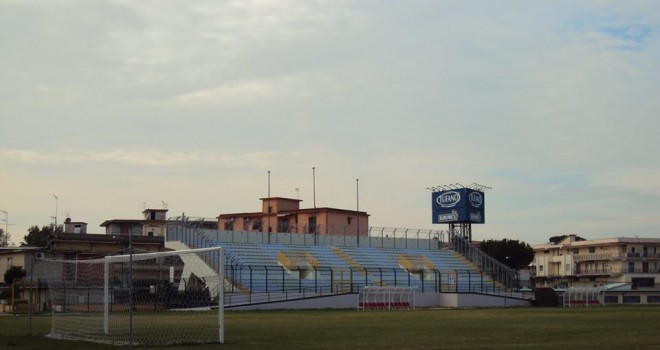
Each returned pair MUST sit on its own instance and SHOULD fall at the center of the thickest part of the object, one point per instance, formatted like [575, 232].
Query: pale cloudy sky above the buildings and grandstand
[115, 106]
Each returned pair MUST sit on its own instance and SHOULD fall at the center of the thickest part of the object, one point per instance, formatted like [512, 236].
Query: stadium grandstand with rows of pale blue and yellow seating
[266, 270]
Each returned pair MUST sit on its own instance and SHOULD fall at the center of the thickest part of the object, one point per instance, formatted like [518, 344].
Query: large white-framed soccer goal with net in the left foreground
[146, 299]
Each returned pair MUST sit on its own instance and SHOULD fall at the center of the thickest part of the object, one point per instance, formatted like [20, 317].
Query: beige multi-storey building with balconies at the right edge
[572, 263]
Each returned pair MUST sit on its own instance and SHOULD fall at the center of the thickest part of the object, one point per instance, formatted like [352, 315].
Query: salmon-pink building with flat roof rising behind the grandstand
[284, 215]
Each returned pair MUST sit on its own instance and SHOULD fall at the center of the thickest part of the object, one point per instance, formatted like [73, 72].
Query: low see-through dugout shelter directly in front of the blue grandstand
[386, 298]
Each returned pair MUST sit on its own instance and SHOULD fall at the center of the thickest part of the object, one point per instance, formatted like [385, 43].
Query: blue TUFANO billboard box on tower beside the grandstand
[463, 205]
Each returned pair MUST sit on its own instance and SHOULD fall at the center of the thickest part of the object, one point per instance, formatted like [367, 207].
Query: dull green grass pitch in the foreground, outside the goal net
[614, 327]
